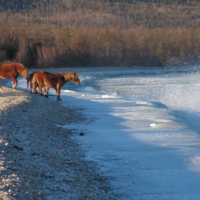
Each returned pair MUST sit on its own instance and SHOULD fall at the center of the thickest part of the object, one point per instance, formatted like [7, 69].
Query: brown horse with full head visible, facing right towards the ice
[49, 80]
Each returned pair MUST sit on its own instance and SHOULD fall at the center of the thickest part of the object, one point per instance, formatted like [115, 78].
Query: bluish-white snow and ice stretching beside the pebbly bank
[143, 128]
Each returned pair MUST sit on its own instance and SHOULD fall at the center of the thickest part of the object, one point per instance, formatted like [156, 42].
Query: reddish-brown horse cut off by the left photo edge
[12, 70]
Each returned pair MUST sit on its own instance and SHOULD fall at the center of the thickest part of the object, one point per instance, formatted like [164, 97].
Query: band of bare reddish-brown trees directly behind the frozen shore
[101, 47]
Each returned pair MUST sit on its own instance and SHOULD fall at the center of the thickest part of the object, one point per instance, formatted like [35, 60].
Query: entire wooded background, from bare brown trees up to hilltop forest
[69, 33]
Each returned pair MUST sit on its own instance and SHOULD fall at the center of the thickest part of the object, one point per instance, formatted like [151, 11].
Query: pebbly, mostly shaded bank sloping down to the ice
[39, 159]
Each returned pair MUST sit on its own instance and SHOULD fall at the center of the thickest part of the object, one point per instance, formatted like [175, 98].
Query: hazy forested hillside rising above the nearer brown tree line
[103, 13]
